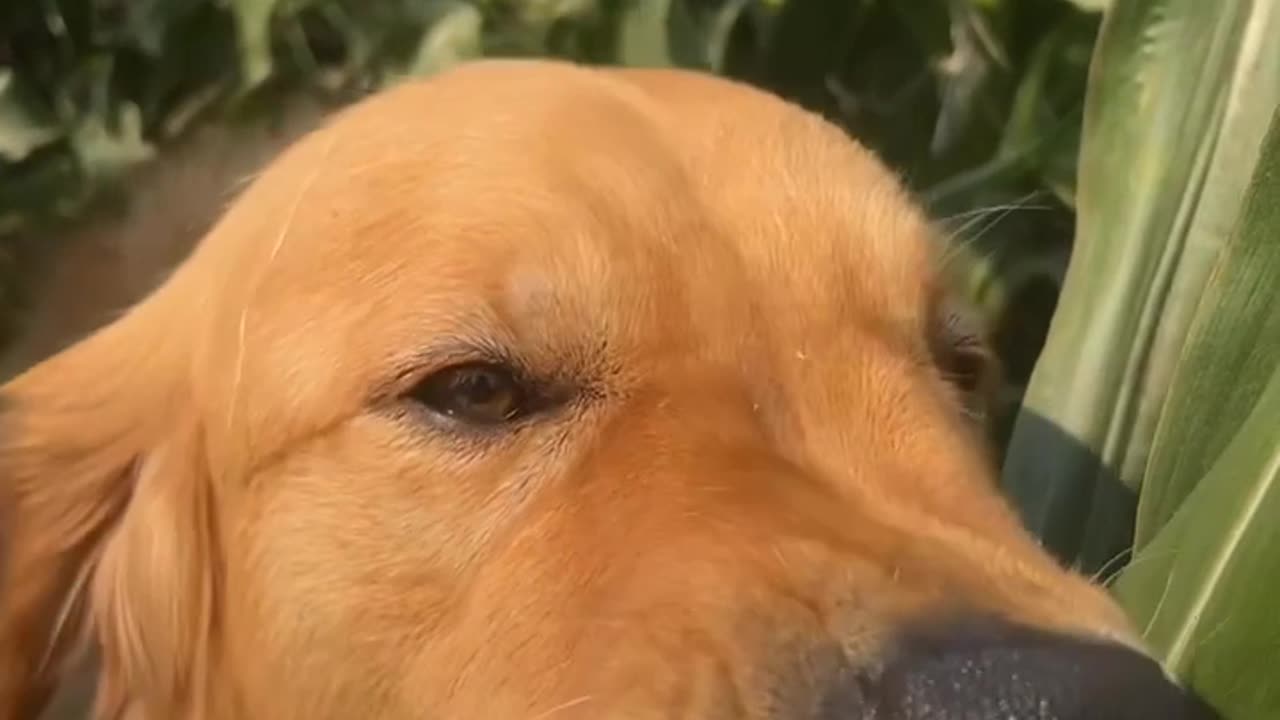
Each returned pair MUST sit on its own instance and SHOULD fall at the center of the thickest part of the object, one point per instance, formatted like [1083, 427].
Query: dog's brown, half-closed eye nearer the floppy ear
[479, 394]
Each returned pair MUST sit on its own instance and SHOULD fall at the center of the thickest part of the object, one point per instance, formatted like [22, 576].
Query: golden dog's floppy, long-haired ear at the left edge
[102, 518]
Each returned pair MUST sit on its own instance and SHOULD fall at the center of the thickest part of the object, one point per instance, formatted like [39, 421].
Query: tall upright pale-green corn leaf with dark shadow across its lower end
[1180, 97]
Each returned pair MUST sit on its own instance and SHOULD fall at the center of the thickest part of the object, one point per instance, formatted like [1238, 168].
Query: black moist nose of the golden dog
[991, 671]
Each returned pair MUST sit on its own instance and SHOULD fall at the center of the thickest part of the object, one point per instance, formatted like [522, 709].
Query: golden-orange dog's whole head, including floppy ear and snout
[536, 391]
